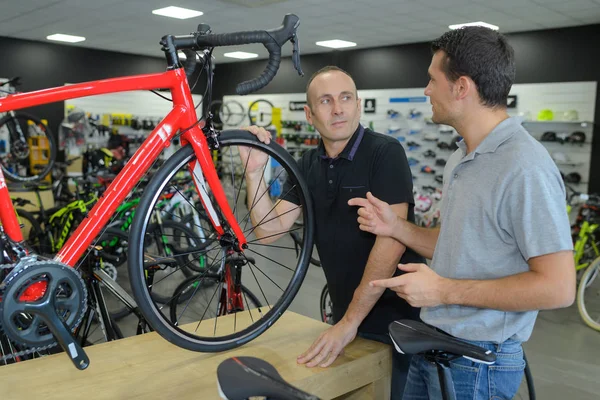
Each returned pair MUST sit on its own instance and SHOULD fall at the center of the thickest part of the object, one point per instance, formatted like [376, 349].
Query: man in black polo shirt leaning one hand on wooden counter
[349, 162]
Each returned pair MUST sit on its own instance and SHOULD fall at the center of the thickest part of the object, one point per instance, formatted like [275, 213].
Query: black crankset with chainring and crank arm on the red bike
[43, 302]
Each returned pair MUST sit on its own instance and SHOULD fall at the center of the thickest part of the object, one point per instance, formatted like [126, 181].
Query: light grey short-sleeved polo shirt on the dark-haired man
[502, 204]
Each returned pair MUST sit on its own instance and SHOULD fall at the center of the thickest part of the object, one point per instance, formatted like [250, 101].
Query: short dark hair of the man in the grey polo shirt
[483, 55]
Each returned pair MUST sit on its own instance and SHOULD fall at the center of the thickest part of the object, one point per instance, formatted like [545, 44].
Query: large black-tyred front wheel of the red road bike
[274, 272]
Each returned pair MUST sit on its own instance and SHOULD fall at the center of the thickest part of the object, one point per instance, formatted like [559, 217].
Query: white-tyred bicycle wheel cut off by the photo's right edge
[588, 295]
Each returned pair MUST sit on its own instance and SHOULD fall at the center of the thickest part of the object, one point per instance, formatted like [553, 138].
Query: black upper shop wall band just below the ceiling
[561, 55]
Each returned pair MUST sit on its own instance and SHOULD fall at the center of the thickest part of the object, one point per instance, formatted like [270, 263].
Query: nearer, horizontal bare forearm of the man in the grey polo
[522, 292]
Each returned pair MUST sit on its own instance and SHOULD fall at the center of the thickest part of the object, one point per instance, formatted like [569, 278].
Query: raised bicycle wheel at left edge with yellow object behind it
[30, 151]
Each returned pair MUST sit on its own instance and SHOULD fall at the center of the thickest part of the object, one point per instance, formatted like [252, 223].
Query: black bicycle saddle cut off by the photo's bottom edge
[240, 378]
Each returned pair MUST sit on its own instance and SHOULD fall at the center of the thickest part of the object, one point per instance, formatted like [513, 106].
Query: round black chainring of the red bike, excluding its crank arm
[64, 288]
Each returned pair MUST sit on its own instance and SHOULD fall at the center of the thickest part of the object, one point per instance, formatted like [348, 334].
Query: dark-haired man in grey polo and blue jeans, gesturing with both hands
[504, 248]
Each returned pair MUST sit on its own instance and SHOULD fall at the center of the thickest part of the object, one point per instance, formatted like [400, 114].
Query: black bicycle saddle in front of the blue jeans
[413, 337]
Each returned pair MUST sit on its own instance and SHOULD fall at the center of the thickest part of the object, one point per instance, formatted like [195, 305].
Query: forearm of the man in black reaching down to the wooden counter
[382, 263]
